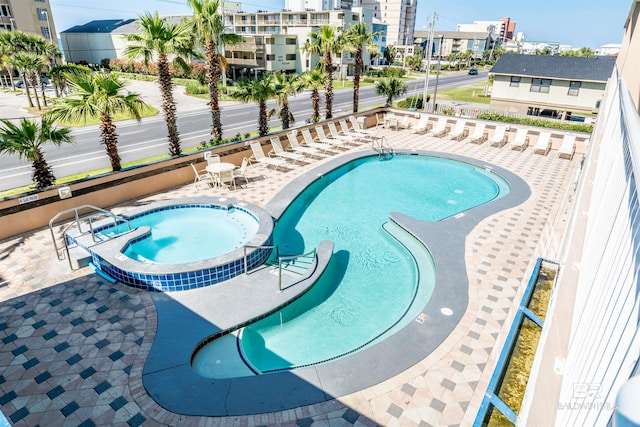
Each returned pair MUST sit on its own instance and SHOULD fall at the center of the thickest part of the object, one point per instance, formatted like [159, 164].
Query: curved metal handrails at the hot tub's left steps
[94, 213]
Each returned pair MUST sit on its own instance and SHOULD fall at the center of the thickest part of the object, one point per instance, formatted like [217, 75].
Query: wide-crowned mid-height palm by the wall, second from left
[99, 95]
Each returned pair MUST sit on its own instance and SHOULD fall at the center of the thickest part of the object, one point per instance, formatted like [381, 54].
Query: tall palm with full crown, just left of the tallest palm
[160, 39]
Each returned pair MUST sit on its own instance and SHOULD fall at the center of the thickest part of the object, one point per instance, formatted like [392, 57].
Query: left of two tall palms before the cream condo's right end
[325, 43]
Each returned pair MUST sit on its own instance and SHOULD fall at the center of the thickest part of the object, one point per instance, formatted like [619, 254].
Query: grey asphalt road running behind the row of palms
[147, 139]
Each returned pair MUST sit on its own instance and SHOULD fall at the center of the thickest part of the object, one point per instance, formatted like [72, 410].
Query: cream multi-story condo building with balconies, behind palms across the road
[273, 41]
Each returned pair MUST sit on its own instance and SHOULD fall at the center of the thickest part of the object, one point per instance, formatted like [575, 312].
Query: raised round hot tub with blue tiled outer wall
[181, 245]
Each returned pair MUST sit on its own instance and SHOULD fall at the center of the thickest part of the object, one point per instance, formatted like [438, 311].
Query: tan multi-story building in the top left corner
[30, 16]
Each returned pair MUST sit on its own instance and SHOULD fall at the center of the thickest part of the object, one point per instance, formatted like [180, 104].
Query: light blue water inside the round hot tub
[190, 233]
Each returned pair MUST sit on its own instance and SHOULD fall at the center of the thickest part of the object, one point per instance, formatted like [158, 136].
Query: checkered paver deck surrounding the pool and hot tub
[74, 346]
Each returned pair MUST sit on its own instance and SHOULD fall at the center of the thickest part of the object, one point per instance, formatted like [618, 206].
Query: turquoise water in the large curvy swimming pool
[371, 281]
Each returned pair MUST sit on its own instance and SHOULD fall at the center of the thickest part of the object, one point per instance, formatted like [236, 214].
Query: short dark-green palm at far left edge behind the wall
[26, 140]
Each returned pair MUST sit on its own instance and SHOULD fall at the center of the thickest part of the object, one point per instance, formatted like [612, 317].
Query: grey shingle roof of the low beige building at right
[598, 68]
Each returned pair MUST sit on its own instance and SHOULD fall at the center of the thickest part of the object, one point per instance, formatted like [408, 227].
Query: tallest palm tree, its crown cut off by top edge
[208, 25]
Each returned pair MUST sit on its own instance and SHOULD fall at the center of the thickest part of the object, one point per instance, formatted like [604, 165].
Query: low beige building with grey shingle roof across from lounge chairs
[549, 85]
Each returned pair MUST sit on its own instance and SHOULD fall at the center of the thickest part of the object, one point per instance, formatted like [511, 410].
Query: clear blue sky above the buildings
[578, 23]
